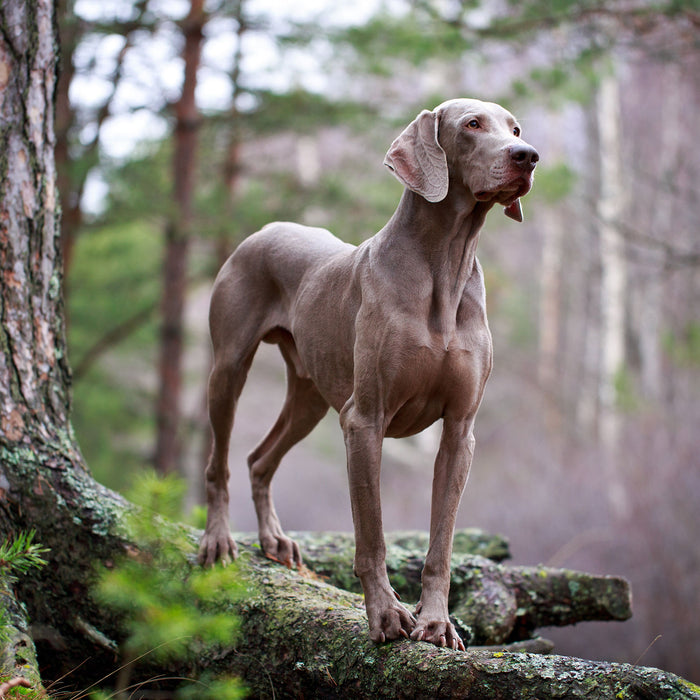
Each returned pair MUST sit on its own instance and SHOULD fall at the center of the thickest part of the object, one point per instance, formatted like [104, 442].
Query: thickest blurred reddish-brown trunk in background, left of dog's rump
[176, 252]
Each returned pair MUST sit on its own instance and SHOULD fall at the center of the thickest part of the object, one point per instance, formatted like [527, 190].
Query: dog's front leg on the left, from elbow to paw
[388, 619]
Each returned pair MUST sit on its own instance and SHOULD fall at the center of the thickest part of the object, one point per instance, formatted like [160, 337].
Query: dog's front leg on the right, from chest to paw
[451, 470]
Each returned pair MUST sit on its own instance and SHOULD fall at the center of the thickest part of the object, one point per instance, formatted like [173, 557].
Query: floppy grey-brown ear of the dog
[417, 159]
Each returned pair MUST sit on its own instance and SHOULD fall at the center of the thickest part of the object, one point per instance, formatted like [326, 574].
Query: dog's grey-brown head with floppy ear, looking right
[466, 144]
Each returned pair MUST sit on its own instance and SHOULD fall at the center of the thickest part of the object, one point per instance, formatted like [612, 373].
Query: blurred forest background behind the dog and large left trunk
[184, 126]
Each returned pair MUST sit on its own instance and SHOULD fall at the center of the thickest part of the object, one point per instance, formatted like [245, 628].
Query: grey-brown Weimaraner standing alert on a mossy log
[391, 333]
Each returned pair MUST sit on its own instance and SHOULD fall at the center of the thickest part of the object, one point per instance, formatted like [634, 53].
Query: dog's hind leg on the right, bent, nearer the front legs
[302, 410]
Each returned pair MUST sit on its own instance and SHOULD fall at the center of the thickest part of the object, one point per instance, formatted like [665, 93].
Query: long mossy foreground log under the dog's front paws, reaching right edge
[303, 637]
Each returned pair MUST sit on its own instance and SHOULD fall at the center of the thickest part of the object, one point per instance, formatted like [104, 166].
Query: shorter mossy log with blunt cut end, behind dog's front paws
[492, 603]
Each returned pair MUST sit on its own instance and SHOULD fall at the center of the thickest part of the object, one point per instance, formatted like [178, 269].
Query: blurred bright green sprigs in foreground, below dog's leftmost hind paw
[173, 609]
